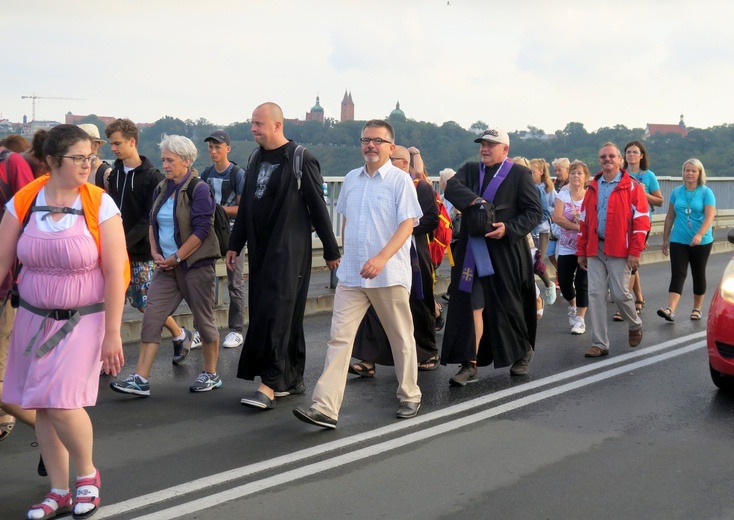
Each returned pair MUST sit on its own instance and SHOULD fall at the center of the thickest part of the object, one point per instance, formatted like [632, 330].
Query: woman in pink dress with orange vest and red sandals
[67, 328]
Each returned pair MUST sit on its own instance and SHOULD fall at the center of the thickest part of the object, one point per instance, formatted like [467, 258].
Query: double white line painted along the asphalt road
[198, 485]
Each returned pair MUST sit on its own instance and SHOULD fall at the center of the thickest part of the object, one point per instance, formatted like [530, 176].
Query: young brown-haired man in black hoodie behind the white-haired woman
[130, 184]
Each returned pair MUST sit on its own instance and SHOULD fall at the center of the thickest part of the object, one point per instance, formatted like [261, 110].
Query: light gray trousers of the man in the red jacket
[608, 271]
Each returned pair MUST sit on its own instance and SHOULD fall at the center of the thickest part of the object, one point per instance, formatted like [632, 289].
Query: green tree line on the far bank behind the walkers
[448, 145]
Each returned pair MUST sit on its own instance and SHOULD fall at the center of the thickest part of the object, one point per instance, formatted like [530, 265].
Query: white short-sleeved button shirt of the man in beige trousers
[374, 208]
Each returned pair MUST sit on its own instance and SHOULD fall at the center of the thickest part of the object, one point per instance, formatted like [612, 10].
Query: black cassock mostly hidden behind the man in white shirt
[371, 343]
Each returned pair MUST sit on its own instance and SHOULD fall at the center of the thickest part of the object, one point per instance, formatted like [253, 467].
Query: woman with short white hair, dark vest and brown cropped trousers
[185, 249]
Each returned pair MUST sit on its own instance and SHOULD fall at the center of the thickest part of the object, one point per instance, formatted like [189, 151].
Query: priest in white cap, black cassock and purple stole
[492, 316]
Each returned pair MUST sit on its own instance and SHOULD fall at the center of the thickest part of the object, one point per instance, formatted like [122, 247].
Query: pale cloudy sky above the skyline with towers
[511, 64]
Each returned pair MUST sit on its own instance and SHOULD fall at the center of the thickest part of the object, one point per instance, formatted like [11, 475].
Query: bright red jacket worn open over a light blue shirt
[628, 220]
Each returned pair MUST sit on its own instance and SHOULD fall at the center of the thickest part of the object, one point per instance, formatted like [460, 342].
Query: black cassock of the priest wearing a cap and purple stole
[510, 319]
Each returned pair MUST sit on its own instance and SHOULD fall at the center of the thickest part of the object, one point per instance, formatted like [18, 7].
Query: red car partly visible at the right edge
[720, 329]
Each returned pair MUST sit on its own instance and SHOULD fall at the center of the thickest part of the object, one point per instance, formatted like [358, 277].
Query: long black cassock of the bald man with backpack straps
[280, 270]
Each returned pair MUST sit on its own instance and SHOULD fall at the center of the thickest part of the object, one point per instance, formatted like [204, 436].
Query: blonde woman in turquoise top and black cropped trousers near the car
[688, 237]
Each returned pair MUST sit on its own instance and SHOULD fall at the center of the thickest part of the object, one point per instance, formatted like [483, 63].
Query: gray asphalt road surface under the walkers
[640, 434]
